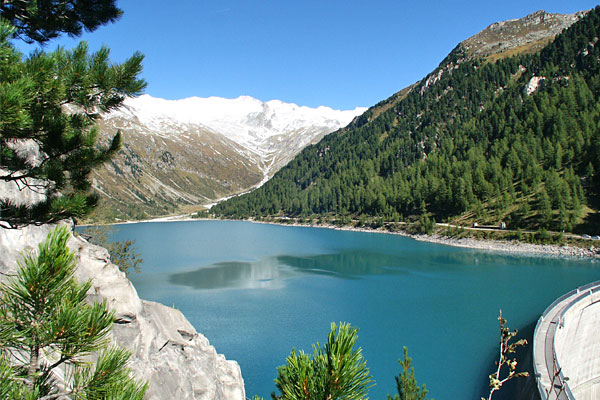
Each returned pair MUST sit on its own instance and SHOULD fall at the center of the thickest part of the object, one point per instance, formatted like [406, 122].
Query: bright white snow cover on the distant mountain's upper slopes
[245, 120]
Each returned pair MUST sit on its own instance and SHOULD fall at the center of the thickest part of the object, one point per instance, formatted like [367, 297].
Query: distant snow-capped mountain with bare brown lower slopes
[197, 150]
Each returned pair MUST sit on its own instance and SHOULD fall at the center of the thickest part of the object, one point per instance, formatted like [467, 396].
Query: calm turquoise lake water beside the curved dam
[257, 290]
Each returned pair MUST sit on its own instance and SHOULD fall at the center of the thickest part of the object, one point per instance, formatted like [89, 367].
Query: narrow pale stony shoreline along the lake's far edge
[509, 247]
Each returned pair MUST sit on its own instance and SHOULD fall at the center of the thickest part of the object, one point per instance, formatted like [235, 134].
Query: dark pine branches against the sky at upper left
[49, 105]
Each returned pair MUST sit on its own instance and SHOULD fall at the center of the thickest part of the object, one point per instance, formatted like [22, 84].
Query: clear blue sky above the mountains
[340, 54]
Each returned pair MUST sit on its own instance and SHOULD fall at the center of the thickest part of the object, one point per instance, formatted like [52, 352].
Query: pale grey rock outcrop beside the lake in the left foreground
[178, 362]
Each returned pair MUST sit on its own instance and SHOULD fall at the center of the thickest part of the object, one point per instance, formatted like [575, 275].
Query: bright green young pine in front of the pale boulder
[48, 330]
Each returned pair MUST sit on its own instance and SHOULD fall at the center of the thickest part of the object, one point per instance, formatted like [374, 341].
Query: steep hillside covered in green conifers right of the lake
[514, 140]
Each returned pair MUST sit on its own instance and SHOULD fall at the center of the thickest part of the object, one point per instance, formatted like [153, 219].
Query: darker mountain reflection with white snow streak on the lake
[271, 272]
